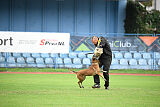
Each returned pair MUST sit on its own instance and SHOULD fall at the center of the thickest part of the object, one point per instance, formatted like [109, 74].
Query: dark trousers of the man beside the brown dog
[106, 62]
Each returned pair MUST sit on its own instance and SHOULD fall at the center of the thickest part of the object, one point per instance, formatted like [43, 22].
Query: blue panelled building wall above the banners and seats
[76, 16]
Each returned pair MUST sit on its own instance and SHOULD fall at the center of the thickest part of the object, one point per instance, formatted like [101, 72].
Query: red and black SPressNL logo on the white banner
[51, 42]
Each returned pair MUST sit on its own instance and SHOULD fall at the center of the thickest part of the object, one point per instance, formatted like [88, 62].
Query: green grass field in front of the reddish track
[61, 90]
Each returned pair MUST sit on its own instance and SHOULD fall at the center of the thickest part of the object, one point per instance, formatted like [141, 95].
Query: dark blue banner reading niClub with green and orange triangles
[119, 43]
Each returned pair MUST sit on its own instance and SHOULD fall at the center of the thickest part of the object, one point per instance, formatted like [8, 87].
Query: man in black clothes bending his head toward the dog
[105, 59]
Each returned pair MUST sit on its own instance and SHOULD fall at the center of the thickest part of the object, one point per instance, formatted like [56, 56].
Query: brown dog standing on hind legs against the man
[92, 70]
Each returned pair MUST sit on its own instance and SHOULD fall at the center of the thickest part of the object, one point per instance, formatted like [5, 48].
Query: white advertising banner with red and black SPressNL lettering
[34, 42]
